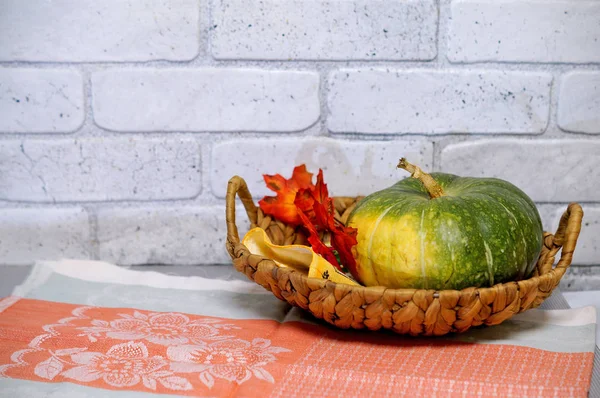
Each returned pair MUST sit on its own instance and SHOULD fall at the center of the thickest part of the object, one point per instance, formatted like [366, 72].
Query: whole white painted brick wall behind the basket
[121, 121]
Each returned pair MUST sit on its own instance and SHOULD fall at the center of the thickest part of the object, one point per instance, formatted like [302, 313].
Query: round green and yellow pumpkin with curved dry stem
[440, 231]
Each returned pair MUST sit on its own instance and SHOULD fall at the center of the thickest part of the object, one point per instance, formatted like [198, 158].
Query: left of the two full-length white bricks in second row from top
[205, 99]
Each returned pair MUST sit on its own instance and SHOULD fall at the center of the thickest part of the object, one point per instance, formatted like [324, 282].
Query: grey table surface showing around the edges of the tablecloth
[11, 276]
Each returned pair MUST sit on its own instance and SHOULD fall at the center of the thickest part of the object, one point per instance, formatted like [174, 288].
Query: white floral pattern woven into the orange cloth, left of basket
[84, 348]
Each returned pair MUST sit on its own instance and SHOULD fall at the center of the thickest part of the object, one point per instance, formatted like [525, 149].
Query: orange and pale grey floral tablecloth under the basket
[73, 331]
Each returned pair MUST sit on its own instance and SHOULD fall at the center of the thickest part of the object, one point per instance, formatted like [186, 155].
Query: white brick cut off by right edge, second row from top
[579, 102]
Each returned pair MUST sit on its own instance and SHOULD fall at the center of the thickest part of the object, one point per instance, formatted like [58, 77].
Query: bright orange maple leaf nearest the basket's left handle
[282, 206]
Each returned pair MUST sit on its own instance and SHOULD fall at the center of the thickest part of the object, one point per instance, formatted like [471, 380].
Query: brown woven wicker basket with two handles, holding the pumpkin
[405, 311]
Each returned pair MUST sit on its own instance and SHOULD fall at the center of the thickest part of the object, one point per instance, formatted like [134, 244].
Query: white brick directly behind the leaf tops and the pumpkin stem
[350, 168]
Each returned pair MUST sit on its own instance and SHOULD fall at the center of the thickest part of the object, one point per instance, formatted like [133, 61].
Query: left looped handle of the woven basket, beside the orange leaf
[237, 186]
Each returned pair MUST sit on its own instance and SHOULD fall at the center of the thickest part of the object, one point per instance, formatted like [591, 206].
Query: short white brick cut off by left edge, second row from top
[40, 100]
